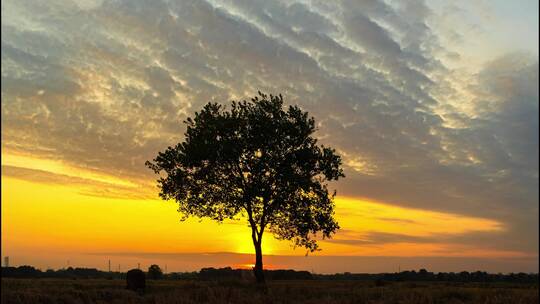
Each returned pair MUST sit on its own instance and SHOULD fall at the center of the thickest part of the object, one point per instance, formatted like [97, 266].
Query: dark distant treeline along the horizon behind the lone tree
[229, 273]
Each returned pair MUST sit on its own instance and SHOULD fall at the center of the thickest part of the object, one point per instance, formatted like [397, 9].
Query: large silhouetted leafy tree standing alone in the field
[256, 160]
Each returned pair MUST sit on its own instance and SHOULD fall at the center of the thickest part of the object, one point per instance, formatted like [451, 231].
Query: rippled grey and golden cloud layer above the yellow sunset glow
[104, 86]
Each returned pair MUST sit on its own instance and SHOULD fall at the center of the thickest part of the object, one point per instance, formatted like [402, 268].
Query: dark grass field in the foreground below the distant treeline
[112, 291]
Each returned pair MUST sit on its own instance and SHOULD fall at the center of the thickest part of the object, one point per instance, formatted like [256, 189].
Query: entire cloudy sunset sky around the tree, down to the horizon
[433, 106]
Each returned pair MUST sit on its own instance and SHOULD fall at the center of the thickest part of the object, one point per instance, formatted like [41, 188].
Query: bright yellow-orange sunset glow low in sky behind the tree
[58, 218]
